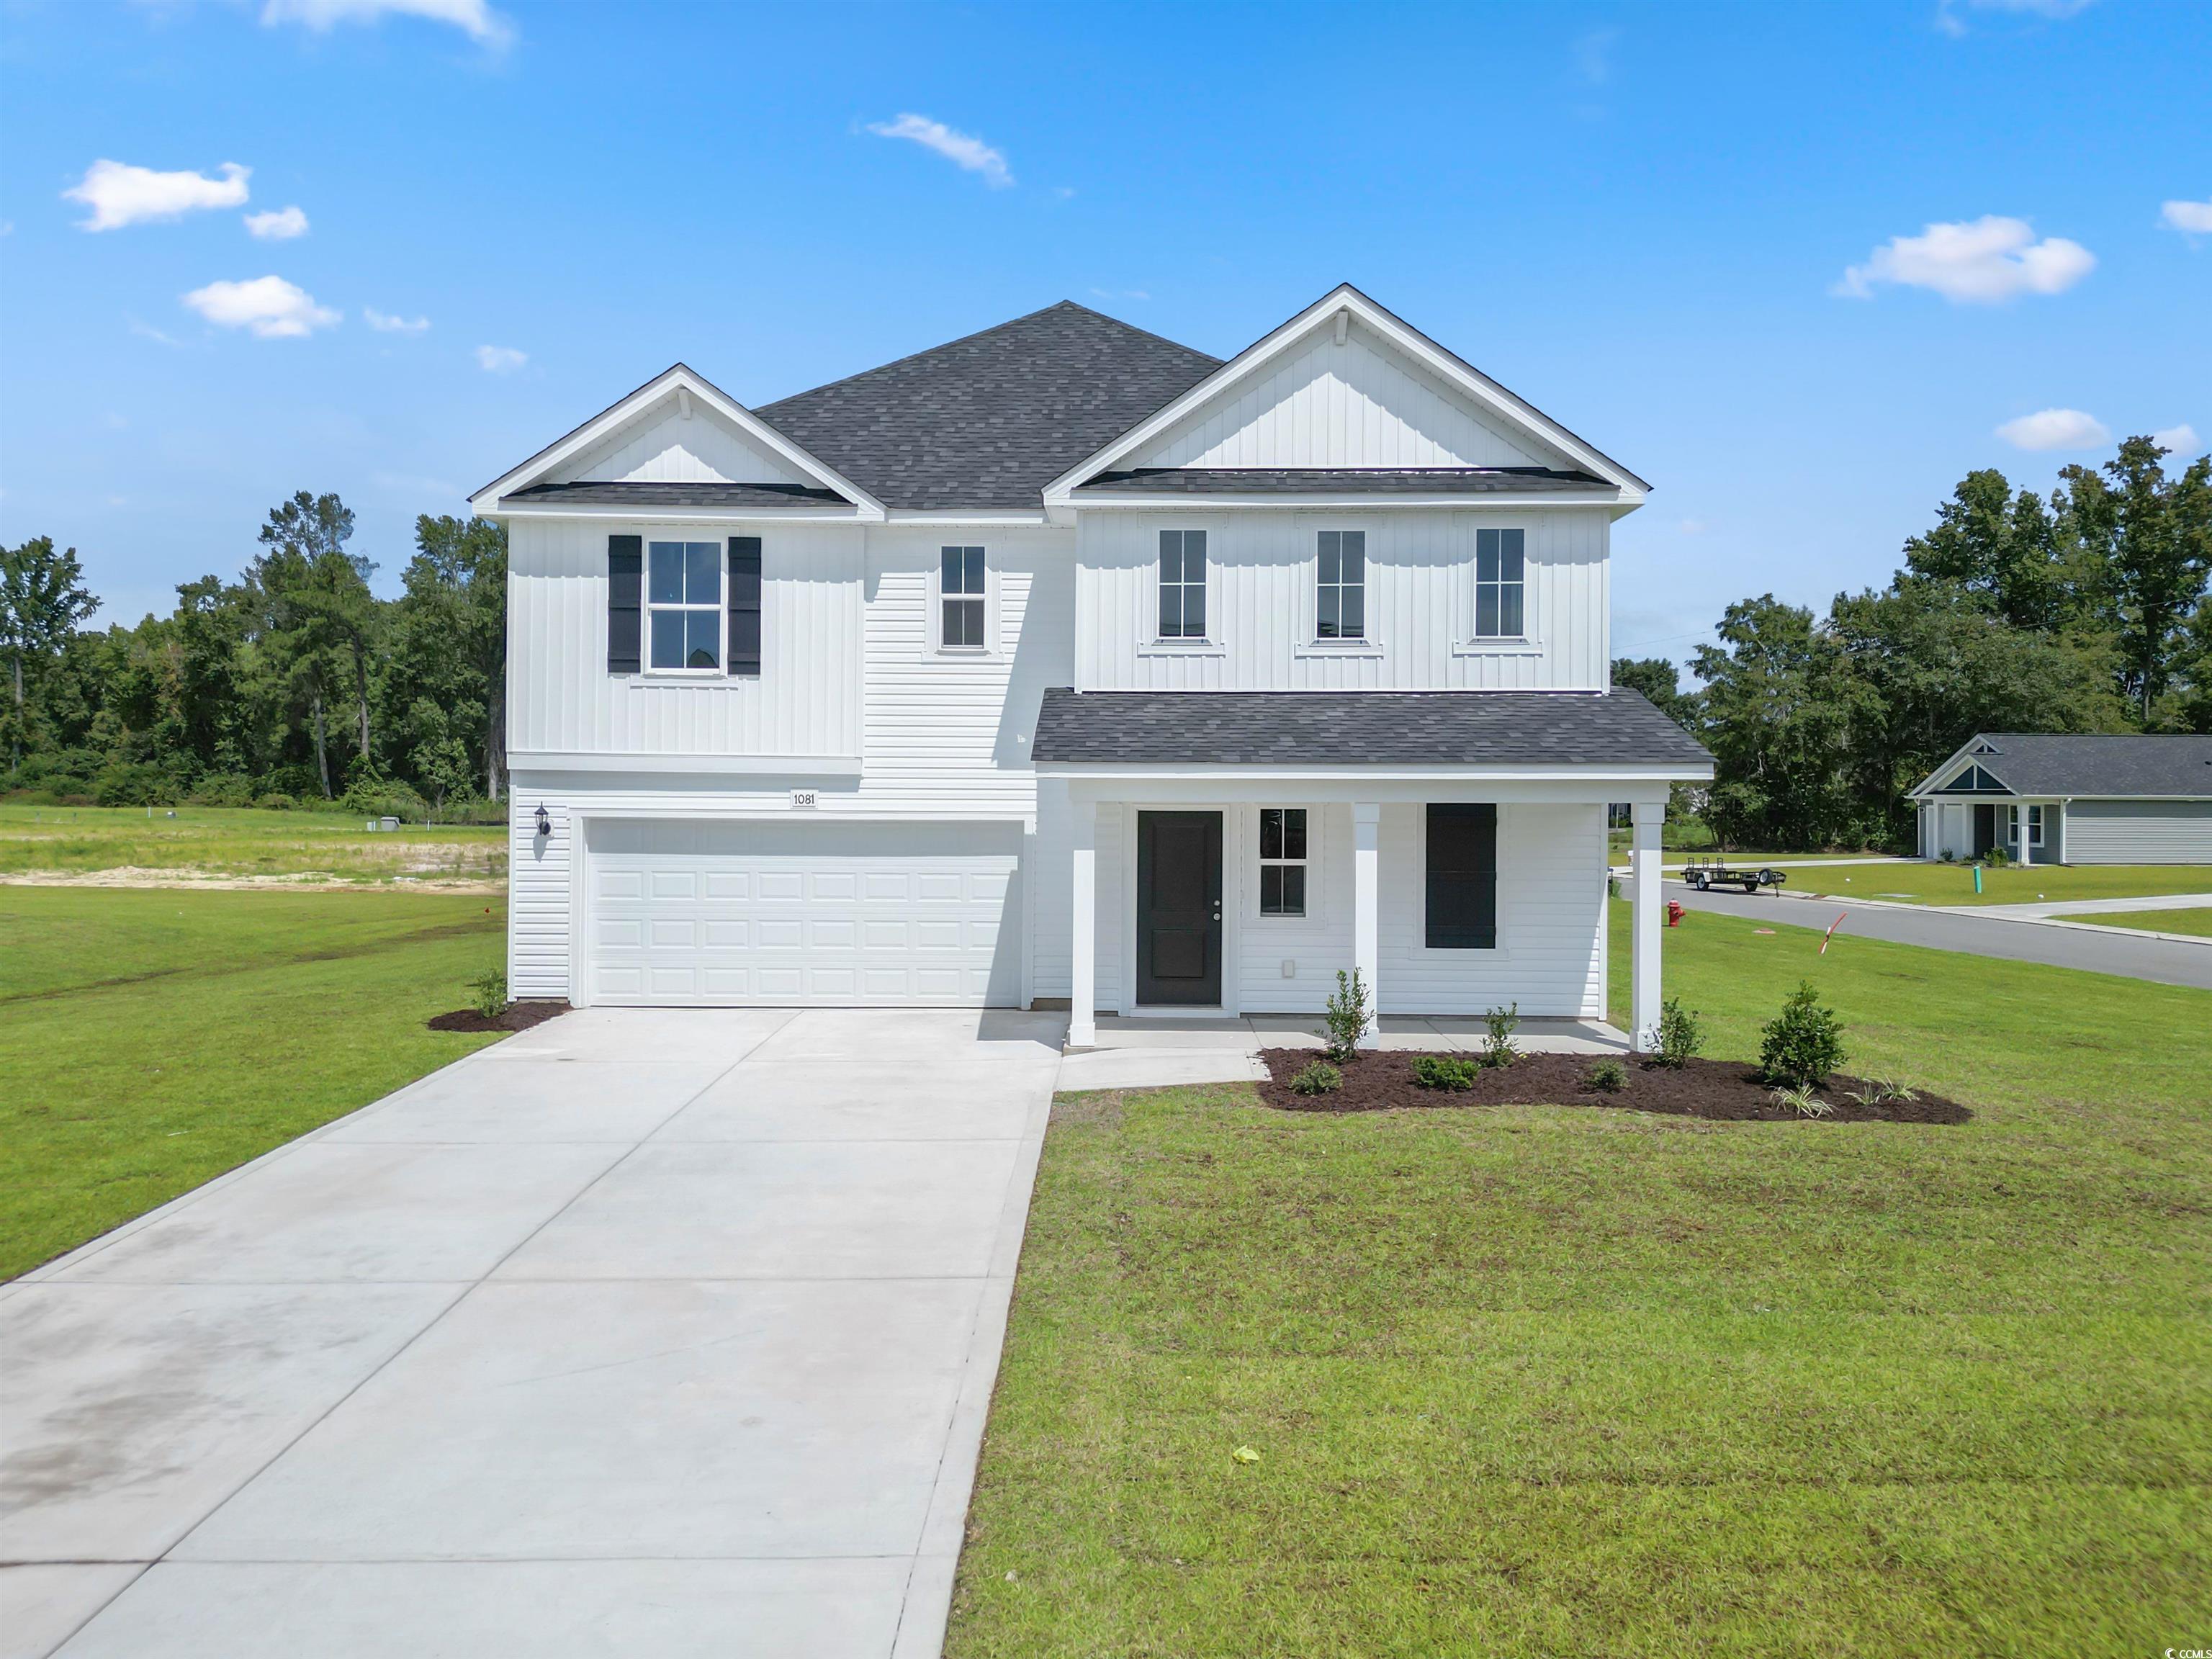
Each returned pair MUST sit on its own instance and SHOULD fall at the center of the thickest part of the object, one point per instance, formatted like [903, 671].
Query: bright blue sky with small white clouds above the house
[1642, 220]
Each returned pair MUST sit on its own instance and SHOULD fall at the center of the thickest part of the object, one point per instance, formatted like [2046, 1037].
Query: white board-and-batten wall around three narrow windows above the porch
[1421, 603]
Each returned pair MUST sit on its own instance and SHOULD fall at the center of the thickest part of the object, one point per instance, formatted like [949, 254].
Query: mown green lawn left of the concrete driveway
[152, 1041]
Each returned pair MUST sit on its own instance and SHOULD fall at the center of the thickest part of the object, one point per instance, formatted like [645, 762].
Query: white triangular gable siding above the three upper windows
[1342, 406]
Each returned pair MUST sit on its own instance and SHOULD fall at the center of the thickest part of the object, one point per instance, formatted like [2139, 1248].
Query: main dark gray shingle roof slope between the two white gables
[997, 417]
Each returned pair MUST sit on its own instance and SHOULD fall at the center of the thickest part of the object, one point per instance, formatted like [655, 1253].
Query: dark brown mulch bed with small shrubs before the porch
[1715, 1089]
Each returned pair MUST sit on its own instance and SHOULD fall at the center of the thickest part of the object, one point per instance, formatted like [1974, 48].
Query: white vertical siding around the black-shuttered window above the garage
[563, 700]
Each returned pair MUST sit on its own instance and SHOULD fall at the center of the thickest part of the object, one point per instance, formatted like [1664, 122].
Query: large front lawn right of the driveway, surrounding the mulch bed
[1552, 1381]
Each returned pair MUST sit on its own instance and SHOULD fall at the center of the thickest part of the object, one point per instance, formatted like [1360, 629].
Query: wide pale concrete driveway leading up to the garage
[645, 1333]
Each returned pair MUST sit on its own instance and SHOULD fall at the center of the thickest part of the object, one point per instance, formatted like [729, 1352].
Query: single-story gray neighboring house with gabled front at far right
[2072, 800]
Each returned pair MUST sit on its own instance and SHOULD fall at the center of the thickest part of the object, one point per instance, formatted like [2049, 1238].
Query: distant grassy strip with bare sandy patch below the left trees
[244, 842]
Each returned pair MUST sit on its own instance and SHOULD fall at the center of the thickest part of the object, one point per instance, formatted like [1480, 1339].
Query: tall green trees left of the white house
[289, 685]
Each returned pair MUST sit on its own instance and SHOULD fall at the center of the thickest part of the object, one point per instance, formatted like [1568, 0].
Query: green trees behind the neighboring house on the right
[2083, 612]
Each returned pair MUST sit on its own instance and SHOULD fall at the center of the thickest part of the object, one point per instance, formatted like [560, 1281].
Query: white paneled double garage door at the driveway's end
[831, 915]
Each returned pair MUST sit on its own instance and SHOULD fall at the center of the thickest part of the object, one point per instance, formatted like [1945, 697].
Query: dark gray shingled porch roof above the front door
[1359, 729]
